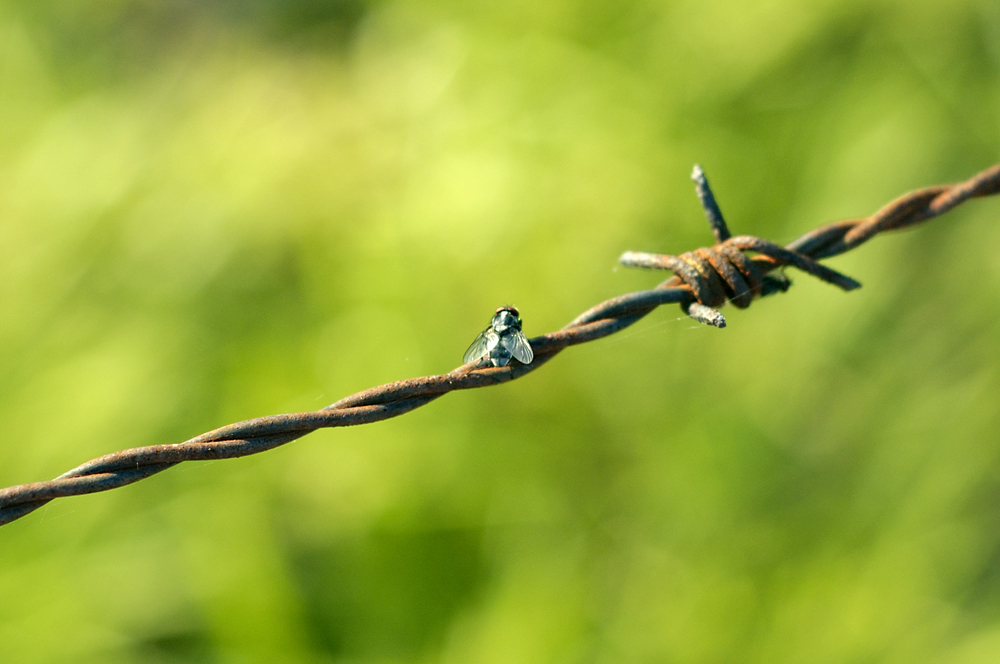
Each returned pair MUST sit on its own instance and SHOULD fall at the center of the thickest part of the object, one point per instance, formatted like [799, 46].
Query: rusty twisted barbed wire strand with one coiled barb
[704, 279]
